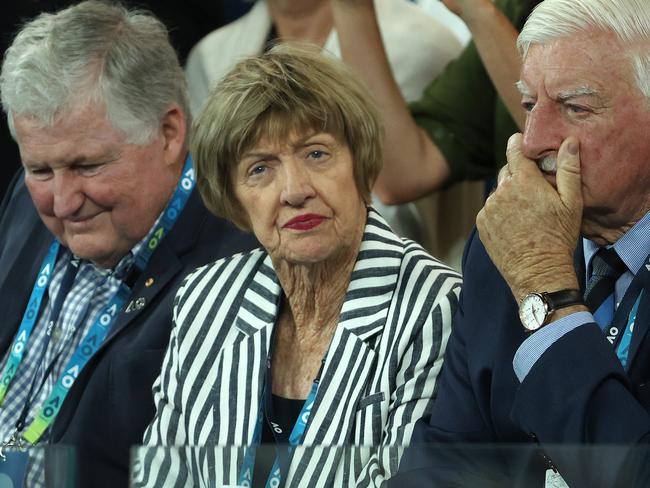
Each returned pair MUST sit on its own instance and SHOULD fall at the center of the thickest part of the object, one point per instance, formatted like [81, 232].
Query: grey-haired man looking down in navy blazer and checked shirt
[97, 103]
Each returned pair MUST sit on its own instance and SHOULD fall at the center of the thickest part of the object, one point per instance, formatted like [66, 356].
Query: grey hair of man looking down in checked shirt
[94, 52]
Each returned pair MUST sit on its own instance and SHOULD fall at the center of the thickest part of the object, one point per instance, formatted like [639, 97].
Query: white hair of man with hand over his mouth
[628, 20]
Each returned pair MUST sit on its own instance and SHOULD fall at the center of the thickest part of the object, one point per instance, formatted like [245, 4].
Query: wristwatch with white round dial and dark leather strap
[536, 309]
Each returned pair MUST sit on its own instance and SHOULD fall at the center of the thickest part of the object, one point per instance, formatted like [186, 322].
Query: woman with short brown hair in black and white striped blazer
[333, 332]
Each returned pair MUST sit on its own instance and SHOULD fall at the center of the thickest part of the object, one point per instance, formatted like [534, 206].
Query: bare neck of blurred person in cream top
[302, 20]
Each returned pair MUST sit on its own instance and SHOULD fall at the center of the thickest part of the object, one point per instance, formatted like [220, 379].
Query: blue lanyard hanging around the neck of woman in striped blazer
[283, 458]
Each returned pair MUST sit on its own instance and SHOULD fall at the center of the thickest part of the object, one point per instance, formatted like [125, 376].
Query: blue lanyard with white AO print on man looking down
[101, 326]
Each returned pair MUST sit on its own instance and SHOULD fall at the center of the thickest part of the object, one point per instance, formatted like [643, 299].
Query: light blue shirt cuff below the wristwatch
[532, 348]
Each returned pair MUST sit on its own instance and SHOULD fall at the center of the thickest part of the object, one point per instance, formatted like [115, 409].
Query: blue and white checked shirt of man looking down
[91, 291]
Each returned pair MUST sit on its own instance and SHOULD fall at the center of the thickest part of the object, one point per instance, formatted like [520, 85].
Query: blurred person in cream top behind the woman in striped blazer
[418, 48]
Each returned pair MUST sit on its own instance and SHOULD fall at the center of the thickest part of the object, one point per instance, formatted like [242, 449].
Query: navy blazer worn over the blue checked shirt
[110, 404]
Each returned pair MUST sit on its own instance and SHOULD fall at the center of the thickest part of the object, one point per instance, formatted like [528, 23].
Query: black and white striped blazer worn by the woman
[378, 379]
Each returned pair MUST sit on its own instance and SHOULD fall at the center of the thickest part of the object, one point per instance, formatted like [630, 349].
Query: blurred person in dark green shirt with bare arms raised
[459, 128]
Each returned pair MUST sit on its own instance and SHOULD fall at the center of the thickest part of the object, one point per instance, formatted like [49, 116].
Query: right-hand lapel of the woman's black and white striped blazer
[351, 355]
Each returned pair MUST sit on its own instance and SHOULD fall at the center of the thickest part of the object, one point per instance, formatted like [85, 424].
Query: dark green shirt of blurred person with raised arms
[463, 114]
